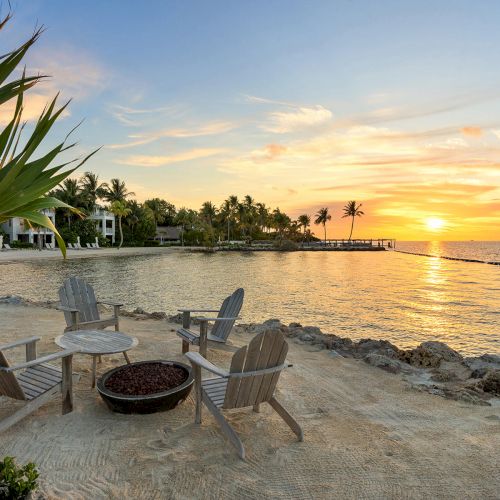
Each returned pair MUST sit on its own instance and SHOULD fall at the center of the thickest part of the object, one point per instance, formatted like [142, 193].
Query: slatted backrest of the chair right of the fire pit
[266, 350]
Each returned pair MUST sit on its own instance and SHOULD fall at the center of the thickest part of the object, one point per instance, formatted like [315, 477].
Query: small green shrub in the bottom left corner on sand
[17, 482]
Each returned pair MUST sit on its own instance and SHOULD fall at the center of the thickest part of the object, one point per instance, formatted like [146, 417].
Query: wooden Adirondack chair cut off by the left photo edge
[37, 381]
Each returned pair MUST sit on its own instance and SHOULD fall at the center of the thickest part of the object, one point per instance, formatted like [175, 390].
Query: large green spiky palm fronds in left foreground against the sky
[24, 180]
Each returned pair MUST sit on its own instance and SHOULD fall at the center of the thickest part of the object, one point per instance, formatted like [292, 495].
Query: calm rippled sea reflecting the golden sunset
[402, 298]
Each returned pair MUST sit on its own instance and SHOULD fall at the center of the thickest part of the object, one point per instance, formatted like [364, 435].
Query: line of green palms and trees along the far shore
[235, 219]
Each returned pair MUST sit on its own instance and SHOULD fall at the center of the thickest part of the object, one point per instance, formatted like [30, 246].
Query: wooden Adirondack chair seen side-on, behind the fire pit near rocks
[227, 315]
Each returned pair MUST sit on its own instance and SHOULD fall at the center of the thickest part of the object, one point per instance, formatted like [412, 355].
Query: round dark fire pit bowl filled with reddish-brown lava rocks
[146, 386]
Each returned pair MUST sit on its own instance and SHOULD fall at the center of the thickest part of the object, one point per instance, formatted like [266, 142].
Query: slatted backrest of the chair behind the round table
[78, 294]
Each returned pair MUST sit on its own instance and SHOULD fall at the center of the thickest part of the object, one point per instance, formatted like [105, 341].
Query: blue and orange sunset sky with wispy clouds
[301, 104]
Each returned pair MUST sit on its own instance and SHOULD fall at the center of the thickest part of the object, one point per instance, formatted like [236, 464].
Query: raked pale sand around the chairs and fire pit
[367, 433]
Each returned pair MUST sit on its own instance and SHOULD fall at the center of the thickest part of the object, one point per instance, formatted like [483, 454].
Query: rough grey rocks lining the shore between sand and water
[432, 366]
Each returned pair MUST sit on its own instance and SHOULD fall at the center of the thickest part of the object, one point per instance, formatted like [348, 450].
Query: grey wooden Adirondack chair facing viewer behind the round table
[80, 309]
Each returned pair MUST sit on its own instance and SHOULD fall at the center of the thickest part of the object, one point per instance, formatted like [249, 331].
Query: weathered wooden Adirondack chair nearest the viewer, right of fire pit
[251, 380]
